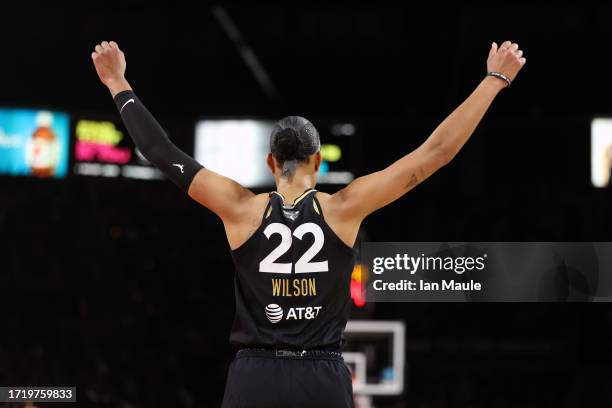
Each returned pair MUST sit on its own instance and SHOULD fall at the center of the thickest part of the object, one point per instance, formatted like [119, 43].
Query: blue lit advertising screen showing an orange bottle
[34, 143]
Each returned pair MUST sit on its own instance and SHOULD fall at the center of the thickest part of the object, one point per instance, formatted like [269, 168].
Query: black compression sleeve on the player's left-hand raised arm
[153, 142]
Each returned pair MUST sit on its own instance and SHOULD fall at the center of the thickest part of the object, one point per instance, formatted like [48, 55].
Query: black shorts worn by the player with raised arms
[264, 380]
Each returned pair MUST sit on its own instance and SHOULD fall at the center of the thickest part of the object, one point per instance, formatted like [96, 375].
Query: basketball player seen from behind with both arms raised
[292, 248]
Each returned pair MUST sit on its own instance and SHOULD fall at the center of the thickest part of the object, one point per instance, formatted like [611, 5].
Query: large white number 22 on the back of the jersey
[303, 265]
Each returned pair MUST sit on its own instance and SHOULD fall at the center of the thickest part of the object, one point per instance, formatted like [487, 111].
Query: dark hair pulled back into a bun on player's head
[293, 139]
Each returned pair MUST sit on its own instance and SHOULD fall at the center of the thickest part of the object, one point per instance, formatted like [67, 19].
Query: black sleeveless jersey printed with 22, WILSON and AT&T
[292, 279]
